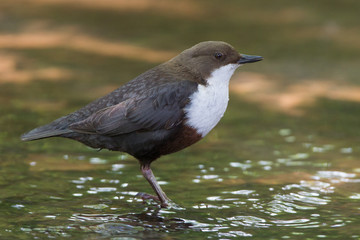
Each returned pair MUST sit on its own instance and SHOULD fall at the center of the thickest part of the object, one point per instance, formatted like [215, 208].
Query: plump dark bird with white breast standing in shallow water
[161, 111]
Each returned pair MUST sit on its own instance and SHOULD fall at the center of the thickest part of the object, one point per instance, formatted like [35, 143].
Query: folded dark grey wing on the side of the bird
[157, 108]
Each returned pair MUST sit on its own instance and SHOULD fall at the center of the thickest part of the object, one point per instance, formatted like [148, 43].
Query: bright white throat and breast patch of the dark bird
[208, 103]
